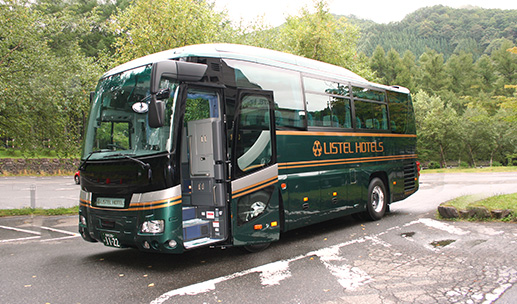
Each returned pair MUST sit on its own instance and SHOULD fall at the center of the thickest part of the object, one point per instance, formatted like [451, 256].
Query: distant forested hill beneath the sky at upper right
[444, 29]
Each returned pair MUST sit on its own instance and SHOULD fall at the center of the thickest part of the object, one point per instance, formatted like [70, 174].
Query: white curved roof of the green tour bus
[257, 55]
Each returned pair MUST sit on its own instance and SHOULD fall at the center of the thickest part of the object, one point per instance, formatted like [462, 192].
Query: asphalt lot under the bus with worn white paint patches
[407, 257]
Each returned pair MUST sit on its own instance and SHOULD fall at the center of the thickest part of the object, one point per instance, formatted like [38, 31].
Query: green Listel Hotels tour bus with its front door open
[231, 145]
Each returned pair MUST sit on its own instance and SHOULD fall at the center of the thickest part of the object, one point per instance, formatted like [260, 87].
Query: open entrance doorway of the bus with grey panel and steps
[203, 168]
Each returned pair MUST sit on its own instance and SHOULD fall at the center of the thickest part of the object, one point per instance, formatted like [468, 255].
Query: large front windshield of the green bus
[118, 123]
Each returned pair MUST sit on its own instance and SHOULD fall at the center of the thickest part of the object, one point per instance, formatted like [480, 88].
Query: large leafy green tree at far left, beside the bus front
[42, 88]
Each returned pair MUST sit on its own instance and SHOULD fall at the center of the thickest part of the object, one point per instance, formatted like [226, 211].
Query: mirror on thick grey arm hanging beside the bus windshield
[169, 69]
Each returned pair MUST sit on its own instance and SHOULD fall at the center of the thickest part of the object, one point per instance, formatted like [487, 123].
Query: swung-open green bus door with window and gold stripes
[255, 202]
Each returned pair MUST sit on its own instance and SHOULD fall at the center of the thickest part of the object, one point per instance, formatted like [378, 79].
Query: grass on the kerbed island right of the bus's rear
[505, 204]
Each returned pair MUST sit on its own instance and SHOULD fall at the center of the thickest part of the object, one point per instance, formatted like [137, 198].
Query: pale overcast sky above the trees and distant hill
[380, 11]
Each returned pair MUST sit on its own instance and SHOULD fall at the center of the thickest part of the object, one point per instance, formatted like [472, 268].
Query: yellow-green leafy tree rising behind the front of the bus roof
[150, 26]
